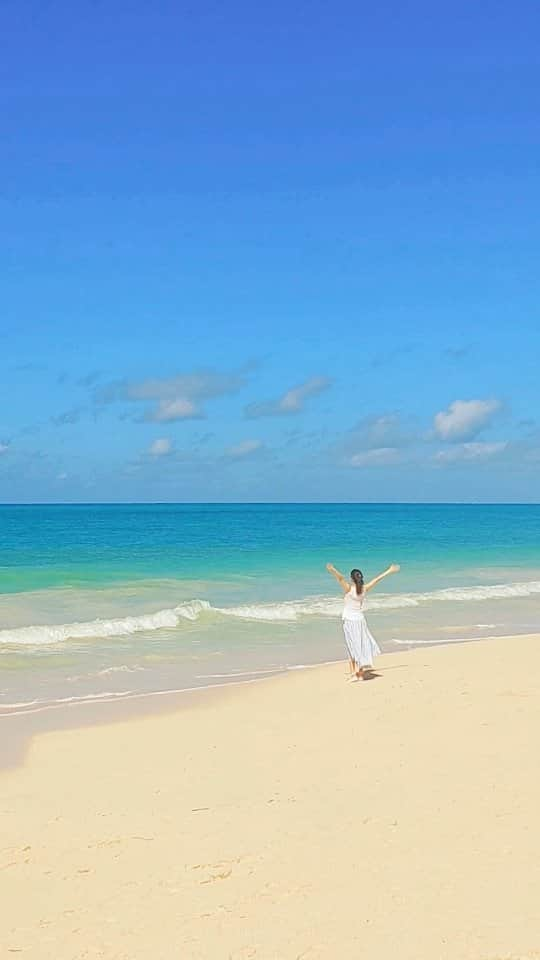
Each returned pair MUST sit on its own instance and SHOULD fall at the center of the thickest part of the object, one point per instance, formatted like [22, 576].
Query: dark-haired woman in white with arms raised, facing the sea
[360, 644]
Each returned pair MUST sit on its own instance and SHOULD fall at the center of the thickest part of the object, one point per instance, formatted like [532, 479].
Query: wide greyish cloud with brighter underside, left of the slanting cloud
[170, 399]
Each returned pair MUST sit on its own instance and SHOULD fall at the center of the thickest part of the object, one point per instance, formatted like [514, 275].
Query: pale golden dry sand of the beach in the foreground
[301, 817]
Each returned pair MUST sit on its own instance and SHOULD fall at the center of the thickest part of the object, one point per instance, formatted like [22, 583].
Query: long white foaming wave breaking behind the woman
[285, 612]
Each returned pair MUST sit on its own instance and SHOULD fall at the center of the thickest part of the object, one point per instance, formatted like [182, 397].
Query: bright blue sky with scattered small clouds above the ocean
[269, 253]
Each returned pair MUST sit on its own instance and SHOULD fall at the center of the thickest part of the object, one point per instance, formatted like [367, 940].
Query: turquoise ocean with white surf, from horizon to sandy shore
[106, 601]
